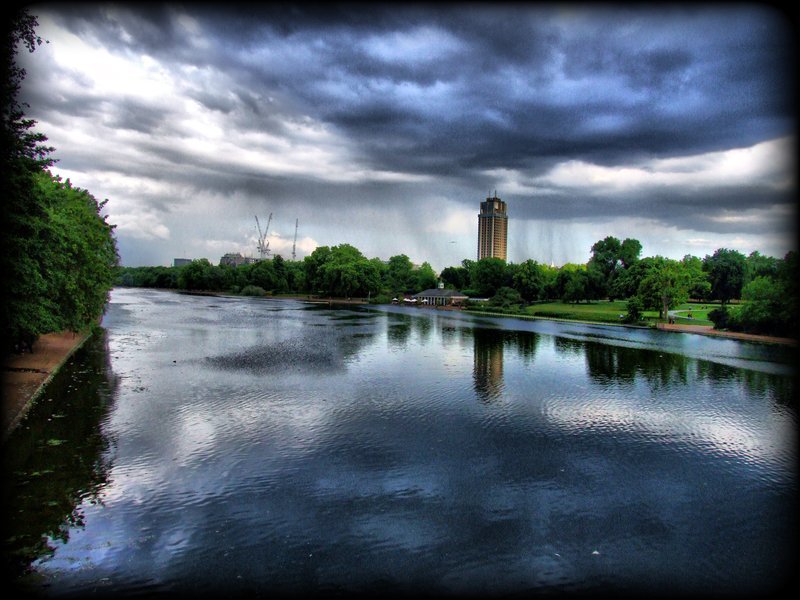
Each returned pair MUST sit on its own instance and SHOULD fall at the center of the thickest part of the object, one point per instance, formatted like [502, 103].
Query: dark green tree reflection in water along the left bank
[56, 459]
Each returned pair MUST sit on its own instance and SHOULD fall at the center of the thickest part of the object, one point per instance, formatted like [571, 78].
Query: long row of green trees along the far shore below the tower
[765, 285]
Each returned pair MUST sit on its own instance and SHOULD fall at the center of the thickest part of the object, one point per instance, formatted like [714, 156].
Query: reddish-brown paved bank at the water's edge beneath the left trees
[26, 375]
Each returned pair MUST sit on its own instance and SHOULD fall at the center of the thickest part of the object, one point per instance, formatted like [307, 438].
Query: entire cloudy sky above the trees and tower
[385, 126]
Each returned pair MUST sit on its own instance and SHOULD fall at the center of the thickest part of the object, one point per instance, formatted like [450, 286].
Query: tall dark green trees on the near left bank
[58, 252]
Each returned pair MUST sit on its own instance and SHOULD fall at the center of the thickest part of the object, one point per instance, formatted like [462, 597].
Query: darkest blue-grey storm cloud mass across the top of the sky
[713, 80]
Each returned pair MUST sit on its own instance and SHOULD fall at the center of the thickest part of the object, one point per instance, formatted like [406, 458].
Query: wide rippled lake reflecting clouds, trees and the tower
[204, 444]
